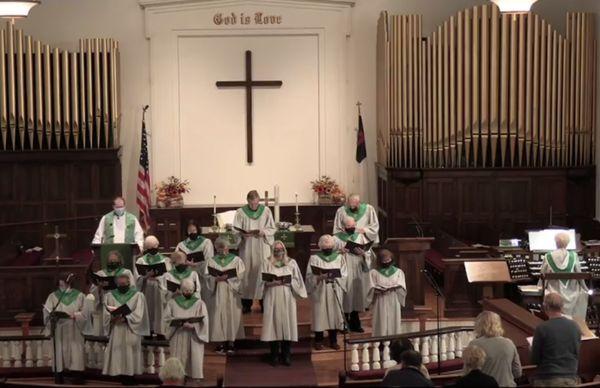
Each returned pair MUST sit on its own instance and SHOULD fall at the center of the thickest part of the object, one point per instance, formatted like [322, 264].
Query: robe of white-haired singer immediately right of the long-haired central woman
[326, 313]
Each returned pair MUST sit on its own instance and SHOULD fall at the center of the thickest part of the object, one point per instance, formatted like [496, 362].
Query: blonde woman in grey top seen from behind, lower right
[502, 359]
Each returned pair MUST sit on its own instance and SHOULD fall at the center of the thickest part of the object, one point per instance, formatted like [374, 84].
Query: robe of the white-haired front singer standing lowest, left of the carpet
[187, 345]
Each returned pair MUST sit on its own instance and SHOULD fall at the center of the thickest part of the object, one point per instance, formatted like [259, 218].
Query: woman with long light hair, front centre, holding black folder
[280, 322]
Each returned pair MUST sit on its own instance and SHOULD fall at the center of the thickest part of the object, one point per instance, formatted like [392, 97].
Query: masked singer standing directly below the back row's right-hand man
[358, 263]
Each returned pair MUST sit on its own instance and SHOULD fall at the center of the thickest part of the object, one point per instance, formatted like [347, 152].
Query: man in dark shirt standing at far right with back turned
[555, 347]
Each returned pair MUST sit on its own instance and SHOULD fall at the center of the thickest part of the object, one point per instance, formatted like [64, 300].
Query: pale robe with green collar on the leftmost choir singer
[69, 332]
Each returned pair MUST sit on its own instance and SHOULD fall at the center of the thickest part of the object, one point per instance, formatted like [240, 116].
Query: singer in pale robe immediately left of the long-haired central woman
[224, 272]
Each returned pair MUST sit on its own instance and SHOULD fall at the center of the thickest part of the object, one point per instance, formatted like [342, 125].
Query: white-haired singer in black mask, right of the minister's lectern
[151, 284]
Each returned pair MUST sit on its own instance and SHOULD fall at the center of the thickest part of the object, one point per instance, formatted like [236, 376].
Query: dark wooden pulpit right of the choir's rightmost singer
[410, 257]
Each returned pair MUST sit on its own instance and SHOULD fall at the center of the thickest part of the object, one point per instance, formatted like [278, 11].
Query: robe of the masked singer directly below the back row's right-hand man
[355, 298]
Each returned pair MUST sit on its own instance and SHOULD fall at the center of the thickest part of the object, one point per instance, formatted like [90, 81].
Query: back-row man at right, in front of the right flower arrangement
[364, 214]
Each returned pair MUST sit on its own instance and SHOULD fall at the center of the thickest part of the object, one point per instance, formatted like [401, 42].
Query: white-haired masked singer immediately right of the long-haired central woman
[326, 283]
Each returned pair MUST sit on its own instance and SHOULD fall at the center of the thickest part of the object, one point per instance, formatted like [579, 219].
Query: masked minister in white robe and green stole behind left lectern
[119, 227]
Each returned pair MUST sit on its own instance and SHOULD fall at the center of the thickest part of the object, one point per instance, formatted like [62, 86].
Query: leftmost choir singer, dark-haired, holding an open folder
[67, 312]
